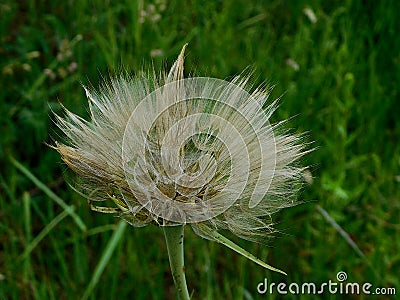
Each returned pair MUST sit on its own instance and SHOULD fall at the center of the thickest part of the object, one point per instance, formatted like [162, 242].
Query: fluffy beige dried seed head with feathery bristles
[197, 151]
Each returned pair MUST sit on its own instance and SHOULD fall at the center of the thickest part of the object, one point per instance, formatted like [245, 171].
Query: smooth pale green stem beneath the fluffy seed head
[174, 240]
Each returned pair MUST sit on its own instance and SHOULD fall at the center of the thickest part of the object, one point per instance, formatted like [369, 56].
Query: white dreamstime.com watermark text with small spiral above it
[340, 287]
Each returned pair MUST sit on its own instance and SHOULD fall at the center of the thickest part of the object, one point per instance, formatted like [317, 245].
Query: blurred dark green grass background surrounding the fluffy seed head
[345, 93]
